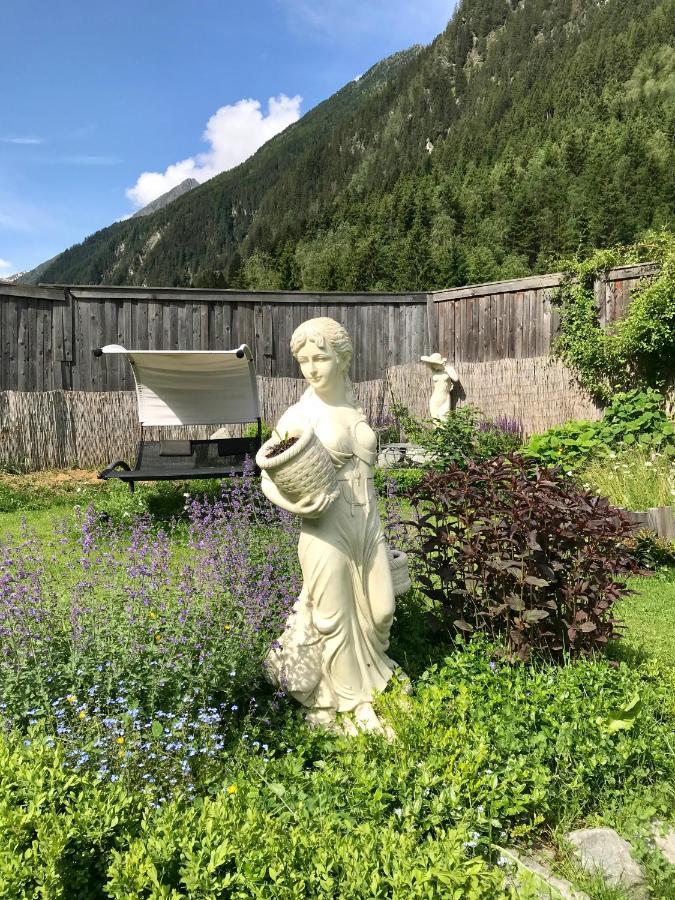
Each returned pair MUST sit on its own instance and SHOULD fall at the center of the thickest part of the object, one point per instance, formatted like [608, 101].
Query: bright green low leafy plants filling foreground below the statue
[485, 754]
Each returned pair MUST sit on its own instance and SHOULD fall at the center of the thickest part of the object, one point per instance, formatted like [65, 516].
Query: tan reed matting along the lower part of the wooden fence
[89, 429]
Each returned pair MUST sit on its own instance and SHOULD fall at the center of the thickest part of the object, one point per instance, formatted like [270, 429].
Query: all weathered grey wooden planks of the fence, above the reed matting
[47, 334]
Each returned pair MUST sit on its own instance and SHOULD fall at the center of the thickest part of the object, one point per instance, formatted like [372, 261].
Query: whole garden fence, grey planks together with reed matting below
[61, 406]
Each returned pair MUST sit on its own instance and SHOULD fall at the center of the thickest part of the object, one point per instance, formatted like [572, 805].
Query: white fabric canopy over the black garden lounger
[193, 387]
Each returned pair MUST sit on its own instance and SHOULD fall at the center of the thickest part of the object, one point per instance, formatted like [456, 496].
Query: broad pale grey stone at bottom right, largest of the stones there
[604, 851]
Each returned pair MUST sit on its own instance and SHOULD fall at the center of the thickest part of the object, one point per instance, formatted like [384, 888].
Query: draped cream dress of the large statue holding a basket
[332, 652]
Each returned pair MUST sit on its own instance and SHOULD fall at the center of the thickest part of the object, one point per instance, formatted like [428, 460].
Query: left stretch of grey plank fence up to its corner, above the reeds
[47, 334]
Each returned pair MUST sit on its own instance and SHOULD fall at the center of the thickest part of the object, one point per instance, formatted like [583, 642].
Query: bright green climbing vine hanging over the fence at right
[639, 349]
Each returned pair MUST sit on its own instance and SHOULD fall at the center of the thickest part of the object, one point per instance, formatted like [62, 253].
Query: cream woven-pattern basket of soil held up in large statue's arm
[305, 469]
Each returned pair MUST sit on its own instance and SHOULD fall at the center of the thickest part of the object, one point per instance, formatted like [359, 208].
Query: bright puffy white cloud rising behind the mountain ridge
[234, 132]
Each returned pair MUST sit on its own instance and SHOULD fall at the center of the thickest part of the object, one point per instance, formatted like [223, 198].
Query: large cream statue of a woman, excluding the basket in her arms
[331, 656]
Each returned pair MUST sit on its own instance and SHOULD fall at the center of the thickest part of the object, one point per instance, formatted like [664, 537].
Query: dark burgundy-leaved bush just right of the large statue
[523, 554]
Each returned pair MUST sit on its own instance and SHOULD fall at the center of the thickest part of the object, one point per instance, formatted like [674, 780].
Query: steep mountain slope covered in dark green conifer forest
[528, 129]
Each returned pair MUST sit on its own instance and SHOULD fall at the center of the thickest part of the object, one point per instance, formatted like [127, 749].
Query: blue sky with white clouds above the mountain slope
[106, 105]
